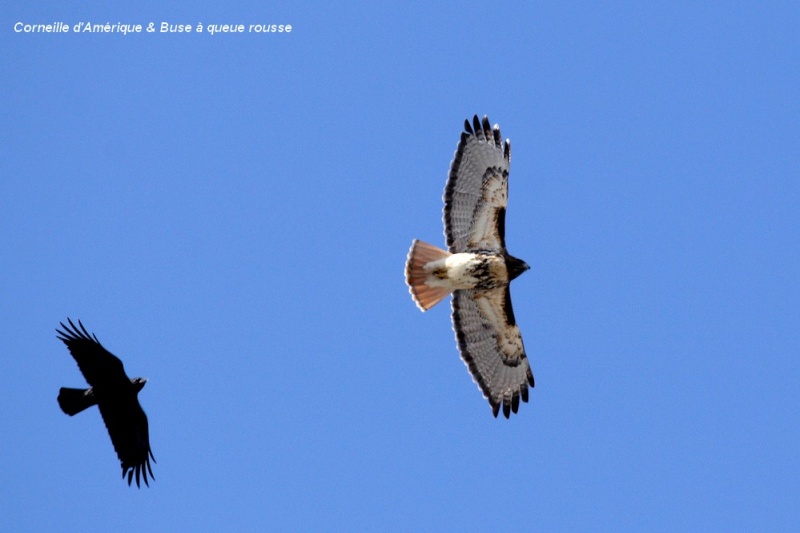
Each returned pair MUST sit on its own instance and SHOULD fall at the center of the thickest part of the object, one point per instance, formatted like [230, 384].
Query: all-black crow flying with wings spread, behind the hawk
[115, 395]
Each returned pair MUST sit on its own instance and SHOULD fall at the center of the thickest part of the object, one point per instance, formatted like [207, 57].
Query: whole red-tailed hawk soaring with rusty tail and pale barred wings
[477, 269]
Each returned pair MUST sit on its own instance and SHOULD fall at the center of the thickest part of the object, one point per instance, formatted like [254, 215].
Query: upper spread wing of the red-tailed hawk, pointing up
[476, 193]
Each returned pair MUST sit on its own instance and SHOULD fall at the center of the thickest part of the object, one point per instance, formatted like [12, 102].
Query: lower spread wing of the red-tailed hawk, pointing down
[491, 346]
